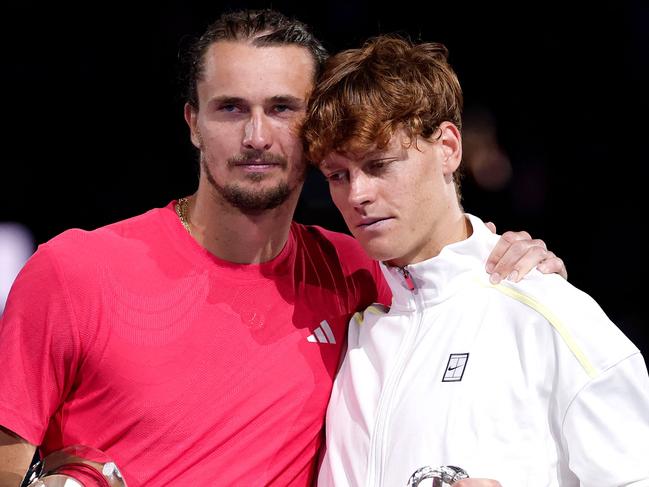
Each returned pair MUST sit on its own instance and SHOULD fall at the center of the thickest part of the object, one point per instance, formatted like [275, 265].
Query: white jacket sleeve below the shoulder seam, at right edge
[606, 427]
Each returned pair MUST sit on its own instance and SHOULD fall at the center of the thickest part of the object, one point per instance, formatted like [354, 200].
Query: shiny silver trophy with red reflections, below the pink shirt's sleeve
[75, 466]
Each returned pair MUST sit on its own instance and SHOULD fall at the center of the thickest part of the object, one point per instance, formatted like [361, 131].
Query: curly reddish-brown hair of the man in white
[364, 95]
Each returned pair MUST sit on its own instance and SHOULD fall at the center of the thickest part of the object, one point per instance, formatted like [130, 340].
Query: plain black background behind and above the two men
[93, 128]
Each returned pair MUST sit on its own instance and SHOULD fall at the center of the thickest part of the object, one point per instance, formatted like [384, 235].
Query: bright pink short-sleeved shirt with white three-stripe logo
[180, 366]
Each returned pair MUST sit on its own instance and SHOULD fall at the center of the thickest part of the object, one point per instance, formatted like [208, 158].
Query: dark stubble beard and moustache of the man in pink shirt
[252, 200]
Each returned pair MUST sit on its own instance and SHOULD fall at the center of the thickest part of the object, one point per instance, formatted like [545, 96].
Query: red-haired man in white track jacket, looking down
[527, 381]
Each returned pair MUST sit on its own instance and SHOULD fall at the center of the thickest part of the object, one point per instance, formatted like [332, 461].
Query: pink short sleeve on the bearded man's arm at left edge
[38, 348]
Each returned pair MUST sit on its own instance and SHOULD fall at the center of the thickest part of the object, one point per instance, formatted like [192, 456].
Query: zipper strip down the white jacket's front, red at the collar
[378, 443]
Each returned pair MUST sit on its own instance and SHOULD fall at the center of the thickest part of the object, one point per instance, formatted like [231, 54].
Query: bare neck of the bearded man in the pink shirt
[236, 236]
